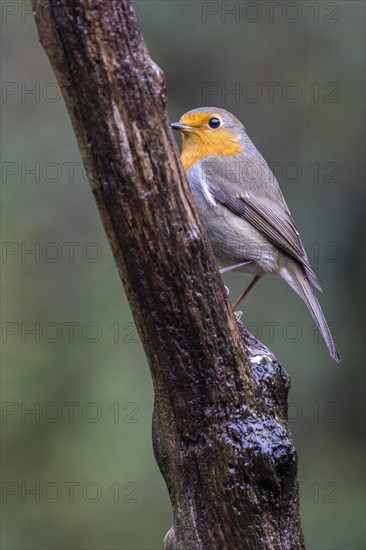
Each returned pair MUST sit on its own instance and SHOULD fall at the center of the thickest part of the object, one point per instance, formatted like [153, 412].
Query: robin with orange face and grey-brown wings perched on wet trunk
[247, 220]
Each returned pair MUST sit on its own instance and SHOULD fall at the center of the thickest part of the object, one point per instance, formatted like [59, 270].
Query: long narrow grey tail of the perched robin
[298, 280]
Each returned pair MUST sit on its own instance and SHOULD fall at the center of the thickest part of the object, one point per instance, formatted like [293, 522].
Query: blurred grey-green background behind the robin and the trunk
[79, 472]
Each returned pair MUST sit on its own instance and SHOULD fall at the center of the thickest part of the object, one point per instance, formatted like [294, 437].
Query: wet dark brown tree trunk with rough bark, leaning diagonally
[220, 431]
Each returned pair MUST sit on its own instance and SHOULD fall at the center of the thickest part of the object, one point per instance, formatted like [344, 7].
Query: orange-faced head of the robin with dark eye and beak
[208, 131]
